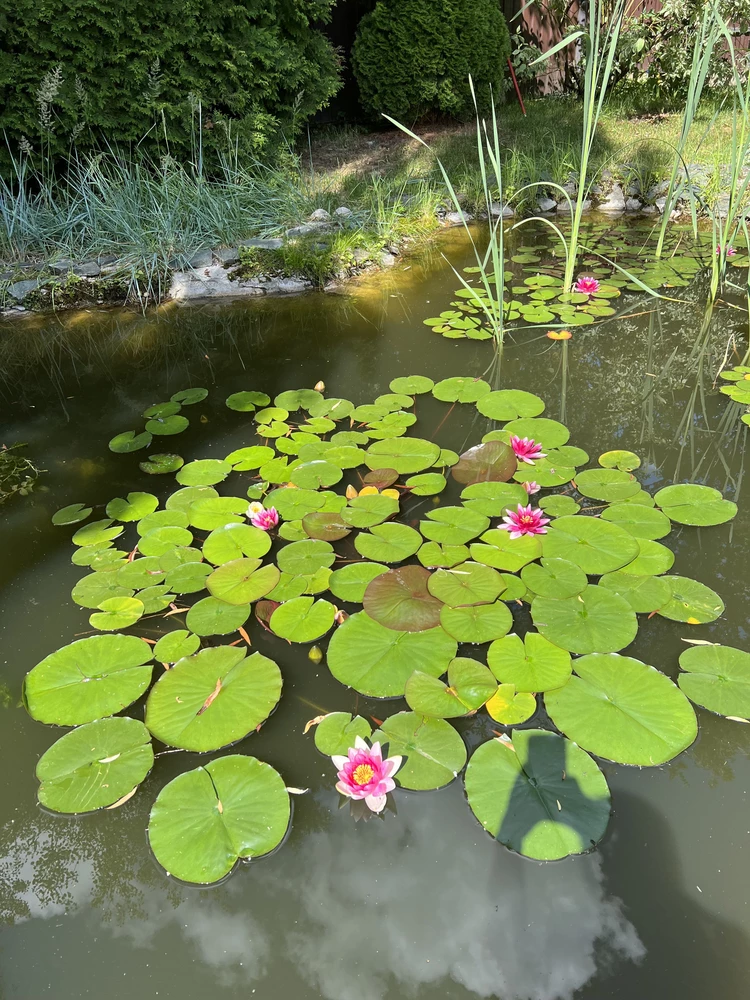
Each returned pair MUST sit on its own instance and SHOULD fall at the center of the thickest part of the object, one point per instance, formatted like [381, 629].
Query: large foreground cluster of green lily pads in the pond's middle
[437, 614]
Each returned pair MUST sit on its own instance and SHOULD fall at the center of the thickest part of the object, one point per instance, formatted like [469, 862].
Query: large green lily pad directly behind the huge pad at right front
[595, 621]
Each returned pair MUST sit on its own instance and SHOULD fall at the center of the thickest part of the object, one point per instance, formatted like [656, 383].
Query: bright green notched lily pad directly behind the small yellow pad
[532, 664]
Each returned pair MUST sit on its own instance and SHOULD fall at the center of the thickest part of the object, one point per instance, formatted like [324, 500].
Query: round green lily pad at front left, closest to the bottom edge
[204, 820]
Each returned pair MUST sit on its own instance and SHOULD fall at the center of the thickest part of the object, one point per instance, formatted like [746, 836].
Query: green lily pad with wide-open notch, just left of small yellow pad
[469, 686]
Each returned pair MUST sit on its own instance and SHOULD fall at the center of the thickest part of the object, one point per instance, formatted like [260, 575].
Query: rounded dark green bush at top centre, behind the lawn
[415, 56]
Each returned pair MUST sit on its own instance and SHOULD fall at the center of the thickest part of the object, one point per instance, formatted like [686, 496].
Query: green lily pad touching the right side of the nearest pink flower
[434, 752]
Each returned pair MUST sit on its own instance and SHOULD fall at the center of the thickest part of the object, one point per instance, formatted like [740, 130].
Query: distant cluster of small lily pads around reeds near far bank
[533, 292]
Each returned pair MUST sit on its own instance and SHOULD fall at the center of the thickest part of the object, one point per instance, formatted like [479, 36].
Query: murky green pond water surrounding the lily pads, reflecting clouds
[423, 905]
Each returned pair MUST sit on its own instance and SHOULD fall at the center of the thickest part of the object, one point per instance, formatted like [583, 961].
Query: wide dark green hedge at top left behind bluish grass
[126, 69]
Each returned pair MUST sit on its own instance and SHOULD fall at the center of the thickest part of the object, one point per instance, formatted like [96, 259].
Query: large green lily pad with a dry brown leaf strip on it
[213, 698]
